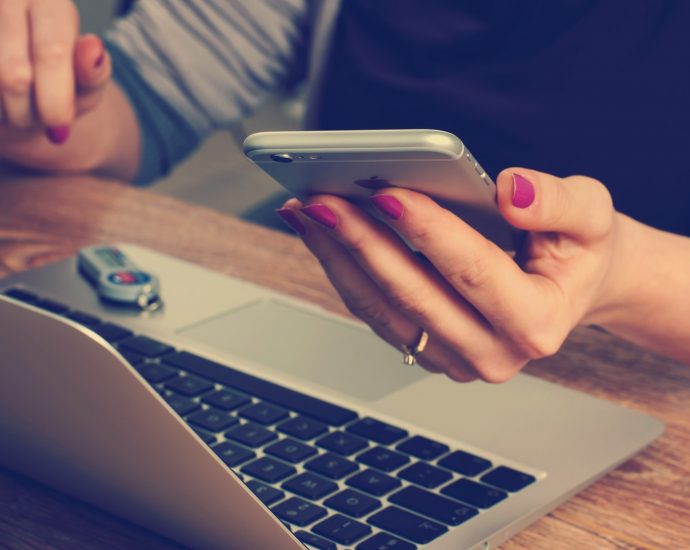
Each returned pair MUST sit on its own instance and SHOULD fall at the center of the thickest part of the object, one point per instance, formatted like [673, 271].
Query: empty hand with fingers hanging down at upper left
[49, 75]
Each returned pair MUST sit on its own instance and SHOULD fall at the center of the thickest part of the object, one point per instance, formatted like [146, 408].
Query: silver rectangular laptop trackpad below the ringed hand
[300, 342]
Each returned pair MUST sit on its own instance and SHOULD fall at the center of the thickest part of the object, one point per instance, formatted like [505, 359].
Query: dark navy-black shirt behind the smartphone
[593, 87]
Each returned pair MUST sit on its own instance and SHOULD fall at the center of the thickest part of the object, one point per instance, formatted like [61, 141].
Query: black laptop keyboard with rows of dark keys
[334, 478]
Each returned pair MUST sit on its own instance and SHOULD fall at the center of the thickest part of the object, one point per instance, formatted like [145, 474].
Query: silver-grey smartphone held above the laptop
[355, 163]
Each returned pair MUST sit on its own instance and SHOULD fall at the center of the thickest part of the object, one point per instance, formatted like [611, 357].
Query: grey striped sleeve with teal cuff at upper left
[211, 61]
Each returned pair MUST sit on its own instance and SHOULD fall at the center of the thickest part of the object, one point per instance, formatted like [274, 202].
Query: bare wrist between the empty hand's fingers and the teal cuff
[104, 141]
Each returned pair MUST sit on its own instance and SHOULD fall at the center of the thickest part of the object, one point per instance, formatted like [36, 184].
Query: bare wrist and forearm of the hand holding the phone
[652, 290]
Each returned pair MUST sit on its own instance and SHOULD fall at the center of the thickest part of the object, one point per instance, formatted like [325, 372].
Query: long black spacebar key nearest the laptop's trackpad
[299, 402]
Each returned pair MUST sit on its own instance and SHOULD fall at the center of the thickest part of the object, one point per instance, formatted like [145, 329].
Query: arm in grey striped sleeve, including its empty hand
[182, 69]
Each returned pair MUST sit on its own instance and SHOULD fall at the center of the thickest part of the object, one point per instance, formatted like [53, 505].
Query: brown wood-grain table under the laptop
[643, 504]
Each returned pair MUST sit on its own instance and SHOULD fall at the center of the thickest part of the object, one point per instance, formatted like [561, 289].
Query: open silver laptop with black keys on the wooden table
[239, 417]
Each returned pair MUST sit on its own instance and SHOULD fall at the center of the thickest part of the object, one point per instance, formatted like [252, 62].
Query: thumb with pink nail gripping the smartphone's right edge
[577, 206]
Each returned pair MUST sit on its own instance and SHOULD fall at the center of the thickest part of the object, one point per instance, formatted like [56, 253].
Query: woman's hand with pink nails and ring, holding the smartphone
[486, 313]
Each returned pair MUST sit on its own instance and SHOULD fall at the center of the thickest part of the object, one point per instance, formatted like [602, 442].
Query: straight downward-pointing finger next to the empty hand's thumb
[54, 31]
